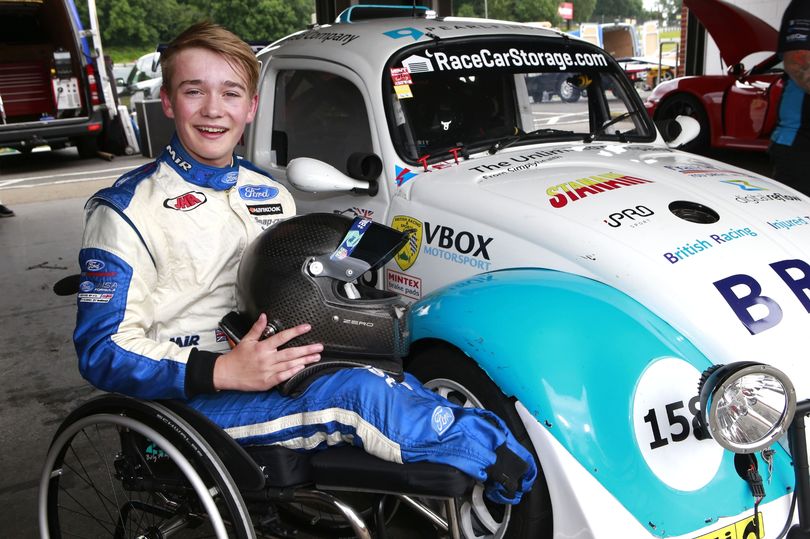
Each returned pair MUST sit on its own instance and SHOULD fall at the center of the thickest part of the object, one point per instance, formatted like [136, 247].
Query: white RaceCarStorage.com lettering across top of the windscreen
[511, 58]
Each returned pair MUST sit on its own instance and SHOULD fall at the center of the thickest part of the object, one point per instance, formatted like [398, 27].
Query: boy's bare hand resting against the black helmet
[255, 365]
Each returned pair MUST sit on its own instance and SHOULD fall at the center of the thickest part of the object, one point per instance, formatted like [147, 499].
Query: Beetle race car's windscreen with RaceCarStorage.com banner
[451, 97]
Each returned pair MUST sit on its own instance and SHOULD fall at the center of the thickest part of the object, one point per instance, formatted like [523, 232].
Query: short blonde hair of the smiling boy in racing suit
[215, 38]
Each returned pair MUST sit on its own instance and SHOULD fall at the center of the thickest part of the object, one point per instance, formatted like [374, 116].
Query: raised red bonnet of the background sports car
[727, 23]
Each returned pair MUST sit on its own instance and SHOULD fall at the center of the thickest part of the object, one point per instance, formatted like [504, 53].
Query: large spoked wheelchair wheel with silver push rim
[117, 472]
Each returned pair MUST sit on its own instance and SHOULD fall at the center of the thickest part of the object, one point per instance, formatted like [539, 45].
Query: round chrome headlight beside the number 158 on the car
[746, 406]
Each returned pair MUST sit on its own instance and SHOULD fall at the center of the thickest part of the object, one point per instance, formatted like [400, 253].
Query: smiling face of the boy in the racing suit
[210, 104]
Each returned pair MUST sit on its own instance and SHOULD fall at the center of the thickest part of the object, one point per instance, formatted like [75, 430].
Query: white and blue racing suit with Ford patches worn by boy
[159, 260]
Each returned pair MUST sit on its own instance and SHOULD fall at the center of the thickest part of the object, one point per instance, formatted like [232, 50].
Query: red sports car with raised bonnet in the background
[735, 110]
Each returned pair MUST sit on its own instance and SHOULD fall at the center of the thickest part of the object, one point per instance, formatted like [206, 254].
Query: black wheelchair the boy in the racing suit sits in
[122, 467]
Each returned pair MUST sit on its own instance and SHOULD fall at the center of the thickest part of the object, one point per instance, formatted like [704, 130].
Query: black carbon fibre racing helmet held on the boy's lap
[306, 270]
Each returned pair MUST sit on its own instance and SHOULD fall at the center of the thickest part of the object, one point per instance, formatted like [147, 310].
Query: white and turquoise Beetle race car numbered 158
[638, 315]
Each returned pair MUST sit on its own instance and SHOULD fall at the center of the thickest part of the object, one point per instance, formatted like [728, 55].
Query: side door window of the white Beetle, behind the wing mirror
[318, 115]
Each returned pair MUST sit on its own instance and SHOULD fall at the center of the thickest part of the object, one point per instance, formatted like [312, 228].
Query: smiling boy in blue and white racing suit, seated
[159, 262]
